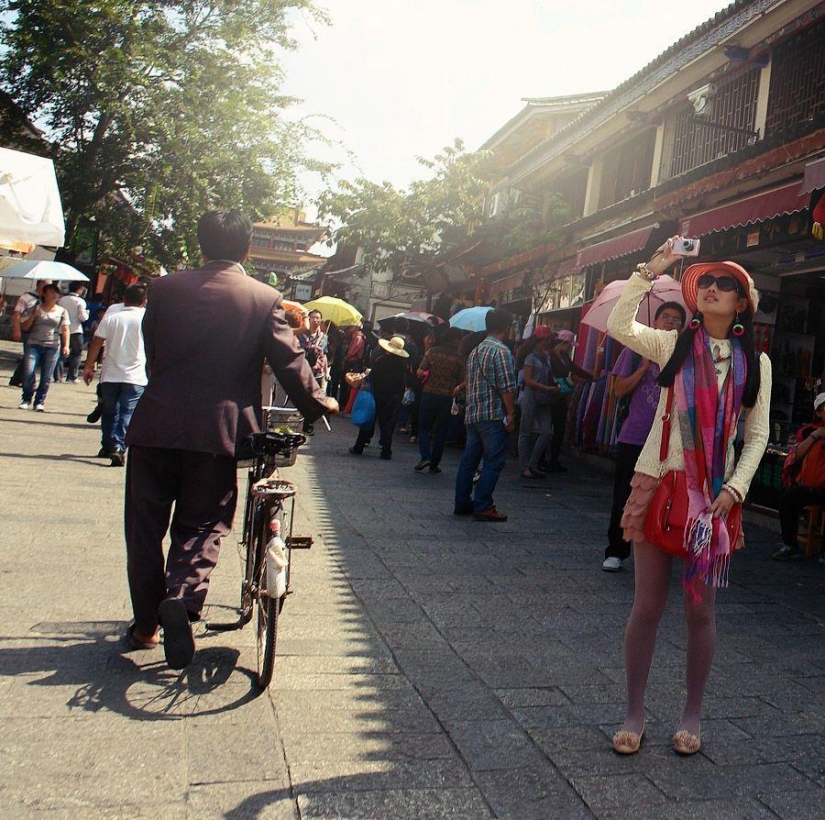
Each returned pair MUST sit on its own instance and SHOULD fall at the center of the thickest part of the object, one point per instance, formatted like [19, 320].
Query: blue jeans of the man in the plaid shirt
[487, 439]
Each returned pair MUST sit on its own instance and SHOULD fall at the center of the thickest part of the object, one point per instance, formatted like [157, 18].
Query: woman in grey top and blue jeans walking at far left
[48, 337]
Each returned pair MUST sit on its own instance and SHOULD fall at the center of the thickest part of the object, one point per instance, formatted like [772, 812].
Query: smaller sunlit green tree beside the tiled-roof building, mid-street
[409, 229]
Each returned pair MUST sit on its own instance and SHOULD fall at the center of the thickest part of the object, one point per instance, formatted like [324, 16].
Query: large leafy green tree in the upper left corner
[159, 110]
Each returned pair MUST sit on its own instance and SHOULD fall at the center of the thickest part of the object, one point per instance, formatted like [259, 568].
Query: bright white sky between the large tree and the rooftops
[402, 78]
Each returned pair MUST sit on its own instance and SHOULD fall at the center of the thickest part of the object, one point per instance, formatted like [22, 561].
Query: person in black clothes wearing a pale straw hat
[387, 378]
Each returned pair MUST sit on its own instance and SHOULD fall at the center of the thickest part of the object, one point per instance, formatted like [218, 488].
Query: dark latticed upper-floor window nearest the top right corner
[797, 79]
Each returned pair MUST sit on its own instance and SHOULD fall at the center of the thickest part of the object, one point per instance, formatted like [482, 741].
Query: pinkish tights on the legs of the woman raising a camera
[653, 571]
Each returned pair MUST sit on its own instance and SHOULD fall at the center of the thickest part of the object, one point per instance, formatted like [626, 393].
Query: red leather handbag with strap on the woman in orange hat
[668, 511]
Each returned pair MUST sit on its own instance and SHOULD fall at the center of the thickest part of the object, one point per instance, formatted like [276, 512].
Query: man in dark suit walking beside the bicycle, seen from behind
[207, 333]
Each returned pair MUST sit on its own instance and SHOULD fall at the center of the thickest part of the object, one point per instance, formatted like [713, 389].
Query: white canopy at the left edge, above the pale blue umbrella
[30, 209]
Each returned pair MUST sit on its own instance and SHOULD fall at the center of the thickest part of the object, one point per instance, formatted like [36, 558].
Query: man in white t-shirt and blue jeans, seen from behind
[123, 376]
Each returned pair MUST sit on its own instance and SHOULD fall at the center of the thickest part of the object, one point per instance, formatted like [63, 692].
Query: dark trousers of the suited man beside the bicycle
[203, 489]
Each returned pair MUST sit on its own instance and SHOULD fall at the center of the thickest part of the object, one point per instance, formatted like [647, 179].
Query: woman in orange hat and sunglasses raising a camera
[714, 375]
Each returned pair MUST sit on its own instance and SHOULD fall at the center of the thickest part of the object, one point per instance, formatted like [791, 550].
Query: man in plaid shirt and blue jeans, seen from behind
[491, 404]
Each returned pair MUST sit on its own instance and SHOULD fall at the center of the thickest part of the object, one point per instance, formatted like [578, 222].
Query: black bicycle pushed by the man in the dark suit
[269, 544]
